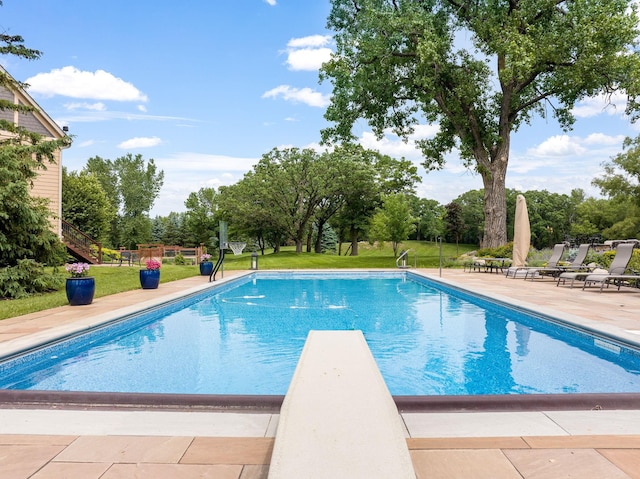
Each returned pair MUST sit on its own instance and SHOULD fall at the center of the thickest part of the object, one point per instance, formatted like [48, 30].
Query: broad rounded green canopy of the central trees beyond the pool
[291, 194]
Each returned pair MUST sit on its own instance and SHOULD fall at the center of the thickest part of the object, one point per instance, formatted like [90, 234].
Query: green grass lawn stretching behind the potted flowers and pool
[115, 279]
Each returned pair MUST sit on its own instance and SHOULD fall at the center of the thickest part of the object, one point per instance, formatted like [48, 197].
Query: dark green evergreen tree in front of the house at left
[26, 239]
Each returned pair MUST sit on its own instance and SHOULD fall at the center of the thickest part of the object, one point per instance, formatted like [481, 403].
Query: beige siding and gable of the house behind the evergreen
[48, 183]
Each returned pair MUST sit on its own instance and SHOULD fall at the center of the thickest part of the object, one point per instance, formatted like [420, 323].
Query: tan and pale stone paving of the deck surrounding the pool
[44, 443]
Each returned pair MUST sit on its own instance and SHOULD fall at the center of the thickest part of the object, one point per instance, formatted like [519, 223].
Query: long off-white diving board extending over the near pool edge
[338, 418]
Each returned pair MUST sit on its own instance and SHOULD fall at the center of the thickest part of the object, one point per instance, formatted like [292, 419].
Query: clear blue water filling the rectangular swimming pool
[245, 337]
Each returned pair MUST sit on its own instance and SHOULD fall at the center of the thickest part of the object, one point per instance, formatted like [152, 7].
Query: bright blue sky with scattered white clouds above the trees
[206, 87]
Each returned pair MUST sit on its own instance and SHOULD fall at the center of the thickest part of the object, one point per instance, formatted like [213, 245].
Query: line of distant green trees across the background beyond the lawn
[333, 200]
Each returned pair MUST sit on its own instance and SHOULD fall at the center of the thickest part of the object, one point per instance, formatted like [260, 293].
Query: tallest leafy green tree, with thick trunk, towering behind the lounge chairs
[478, 68]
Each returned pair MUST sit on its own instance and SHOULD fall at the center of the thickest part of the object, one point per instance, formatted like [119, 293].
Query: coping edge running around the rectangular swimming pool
[272, 404]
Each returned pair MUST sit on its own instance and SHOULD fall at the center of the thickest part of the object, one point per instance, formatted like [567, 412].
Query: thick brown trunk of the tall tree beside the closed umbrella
[495, 201]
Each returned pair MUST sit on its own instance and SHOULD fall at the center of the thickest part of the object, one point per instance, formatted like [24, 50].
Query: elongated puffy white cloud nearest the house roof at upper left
[71, 82]
